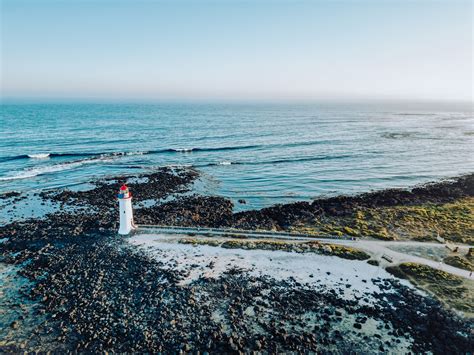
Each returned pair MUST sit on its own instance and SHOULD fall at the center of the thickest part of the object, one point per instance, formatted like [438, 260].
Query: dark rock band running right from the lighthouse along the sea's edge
[217, 211]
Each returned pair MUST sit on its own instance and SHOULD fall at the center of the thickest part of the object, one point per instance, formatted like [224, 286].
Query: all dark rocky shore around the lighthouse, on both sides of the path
[97, 293]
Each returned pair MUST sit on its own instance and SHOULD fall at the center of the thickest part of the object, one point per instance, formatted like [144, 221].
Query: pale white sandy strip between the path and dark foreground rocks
[306, 268]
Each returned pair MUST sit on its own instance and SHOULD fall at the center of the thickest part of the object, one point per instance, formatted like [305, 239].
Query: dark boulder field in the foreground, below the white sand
[98, 296]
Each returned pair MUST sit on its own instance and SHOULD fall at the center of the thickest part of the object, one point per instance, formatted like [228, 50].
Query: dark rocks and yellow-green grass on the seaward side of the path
[444, 209]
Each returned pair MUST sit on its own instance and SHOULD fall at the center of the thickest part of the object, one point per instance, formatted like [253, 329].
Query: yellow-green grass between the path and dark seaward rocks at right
[453, 221]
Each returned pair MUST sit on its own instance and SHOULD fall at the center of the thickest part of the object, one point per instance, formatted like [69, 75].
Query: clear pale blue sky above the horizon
[237, 50]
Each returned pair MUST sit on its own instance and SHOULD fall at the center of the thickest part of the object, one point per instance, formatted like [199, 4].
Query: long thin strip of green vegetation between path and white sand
[298, 247]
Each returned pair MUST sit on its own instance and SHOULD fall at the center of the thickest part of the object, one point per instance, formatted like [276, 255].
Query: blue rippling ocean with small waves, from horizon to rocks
[262, 153]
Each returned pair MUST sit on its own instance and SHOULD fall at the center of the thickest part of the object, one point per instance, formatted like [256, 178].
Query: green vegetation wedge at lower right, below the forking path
[448, 288]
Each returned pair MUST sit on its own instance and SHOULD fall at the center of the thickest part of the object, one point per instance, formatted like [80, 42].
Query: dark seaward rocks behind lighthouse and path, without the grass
[187, 209]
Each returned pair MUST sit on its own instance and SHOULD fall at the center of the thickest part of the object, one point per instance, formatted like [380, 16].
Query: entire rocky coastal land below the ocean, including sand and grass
[85, 288]
